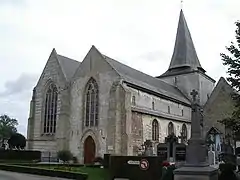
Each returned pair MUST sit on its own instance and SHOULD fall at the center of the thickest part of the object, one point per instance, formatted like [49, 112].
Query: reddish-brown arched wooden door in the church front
[89, 150]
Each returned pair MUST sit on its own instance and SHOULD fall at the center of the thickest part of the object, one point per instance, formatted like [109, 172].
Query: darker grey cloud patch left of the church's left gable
[22, 84]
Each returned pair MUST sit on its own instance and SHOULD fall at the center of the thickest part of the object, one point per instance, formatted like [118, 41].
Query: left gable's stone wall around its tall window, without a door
[51, 74]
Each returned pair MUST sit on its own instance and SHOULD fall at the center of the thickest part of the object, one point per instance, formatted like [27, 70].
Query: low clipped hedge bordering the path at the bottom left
[44, 172]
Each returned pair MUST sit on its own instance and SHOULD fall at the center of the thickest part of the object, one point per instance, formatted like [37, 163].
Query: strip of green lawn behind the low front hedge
[93, 173]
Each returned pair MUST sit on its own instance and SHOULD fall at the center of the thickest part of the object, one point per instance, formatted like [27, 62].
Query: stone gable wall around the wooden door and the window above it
[93, 66]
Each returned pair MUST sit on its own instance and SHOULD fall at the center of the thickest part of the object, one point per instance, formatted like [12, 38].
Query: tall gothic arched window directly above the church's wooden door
[91, 103]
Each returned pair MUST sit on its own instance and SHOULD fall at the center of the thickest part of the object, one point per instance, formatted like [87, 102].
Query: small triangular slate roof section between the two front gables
[69, 66]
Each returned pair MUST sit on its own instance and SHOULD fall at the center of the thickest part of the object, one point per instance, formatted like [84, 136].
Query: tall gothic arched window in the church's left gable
[50, 110]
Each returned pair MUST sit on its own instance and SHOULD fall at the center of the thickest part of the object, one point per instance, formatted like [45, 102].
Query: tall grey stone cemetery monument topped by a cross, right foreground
[196, 166]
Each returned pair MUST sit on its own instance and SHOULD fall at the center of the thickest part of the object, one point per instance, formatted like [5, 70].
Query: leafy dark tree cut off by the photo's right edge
[232, 60]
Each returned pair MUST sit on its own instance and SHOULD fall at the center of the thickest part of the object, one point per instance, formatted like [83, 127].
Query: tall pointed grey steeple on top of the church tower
[184, 55]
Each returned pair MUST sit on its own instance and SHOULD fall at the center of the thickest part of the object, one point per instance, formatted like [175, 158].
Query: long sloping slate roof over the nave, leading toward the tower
[141, 79]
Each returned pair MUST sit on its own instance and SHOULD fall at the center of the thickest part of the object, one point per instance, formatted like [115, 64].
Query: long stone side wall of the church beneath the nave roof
[143, 113]
